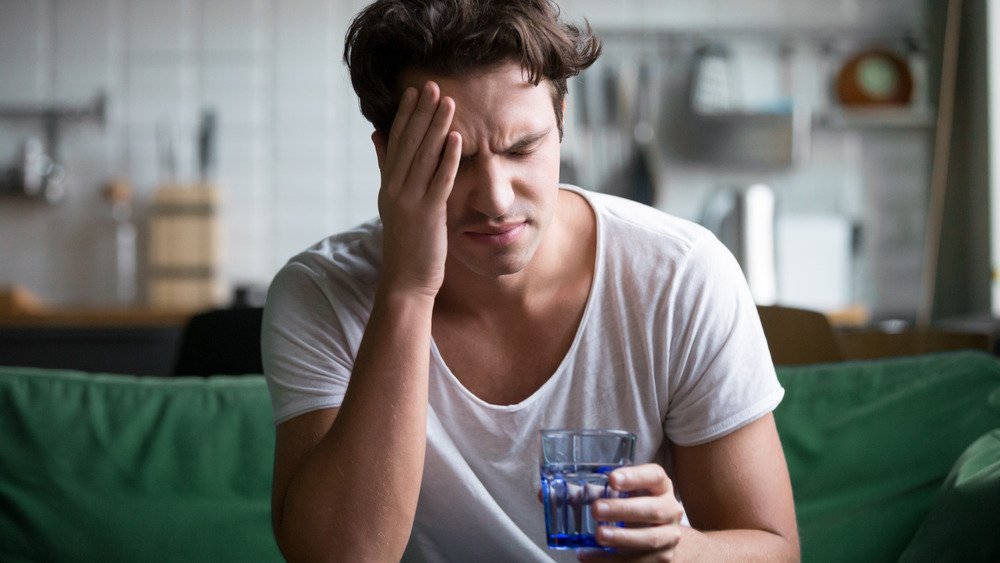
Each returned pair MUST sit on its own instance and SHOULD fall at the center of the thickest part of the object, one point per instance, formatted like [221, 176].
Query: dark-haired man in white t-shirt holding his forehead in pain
[413, 360]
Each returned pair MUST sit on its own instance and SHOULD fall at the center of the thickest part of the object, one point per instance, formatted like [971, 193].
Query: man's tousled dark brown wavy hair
[451, 37]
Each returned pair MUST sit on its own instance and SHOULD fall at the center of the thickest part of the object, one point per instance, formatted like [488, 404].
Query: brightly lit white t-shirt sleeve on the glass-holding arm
[722, 374]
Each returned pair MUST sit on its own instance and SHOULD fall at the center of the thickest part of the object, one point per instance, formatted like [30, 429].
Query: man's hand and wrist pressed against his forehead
[418, 162]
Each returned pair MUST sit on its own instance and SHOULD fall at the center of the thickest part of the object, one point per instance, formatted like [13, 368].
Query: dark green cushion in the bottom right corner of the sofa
[964, 520]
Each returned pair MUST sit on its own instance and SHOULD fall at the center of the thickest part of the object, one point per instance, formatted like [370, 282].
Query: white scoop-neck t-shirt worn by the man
[670, 347]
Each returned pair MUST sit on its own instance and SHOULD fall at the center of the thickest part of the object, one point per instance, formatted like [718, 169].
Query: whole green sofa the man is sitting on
[890, 459]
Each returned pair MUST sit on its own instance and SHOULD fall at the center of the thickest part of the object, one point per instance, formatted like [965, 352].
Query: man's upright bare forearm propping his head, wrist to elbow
[355, 494]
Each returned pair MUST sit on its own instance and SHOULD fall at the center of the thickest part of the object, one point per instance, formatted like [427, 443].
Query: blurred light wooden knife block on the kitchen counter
[184, 248]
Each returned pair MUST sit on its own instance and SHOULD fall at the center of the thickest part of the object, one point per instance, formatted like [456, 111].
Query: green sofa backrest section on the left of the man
[121, 468]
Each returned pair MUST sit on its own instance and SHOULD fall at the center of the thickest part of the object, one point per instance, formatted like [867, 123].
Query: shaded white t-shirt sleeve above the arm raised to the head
[307, 342]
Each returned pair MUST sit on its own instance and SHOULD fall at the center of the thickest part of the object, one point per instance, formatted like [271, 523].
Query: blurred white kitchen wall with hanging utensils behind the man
[720, 111]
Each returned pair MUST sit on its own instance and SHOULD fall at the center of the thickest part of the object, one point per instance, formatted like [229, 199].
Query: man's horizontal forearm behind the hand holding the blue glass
[735, 545]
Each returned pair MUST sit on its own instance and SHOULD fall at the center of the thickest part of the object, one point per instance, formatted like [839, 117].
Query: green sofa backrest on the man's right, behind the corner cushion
[869, 444]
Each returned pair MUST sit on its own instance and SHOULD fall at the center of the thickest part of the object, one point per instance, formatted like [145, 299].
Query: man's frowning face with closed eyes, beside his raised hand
[506, 188]
